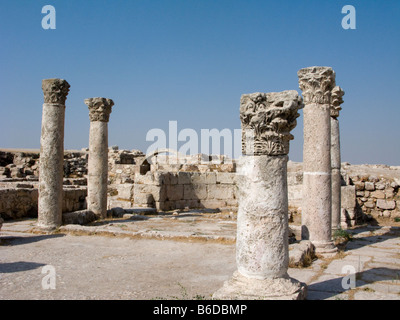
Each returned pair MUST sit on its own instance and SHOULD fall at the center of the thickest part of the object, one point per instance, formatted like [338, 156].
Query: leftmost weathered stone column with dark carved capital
[52, 154]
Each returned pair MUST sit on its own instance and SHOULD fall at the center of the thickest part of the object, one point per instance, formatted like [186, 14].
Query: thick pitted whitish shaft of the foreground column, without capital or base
[262, 233]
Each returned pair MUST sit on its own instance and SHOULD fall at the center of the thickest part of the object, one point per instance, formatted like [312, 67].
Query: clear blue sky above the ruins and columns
[190, 61]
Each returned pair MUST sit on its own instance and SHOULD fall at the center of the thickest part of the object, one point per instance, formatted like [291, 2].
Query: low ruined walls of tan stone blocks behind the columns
[200, 181]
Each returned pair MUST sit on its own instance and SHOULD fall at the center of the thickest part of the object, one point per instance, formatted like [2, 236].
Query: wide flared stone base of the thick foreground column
[240, 287]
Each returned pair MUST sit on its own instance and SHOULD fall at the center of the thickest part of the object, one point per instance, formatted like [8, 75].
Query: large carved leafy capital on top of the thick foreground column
[269, 118]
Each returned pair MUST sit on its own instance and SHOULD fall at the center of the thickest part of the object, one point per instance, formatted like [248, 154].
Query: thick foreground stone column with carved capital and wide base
[262, 248]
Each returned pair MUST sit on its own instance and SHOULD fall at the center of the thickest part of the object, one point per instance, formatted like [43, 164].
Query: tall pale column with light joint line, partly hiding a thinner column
[317, 84]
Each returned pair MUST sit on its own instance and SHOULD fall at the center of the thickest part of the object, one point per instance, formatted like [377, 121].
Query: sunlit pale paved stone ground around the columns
[177, 257]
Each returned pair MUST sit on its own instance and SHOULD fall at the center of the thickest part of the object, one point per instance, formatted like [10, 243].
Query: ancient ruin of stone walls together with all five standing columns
[270, 198]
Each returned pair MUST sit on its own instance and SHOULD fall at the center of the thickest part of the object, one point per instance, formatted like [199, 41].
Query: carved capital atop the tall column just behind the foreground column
[316, 84]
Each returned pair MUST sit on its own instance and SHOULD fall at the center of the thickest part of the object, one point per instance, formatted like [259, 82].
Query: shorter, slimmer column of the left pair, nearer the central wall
[99, 114]
